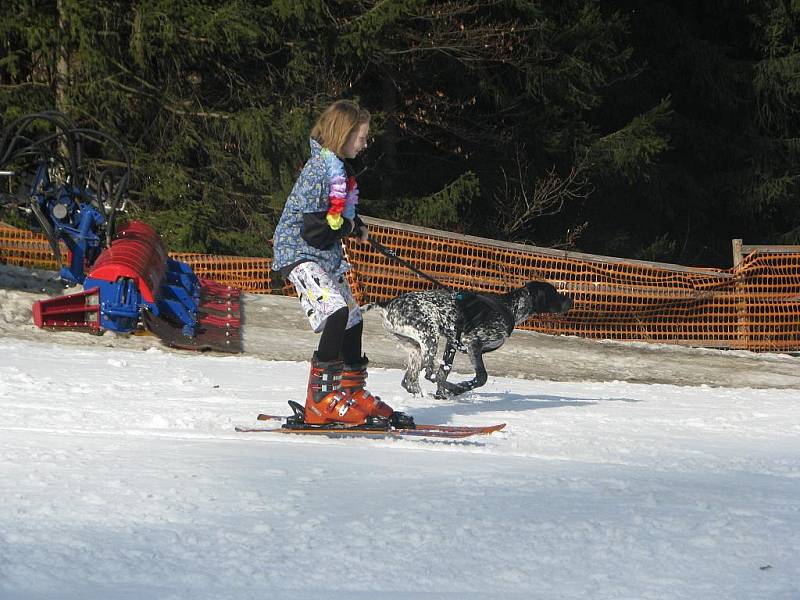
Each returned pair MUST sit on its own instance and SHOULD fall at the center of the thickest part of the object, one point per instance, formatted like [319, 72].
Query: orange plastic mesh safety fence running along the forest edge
[753, 306]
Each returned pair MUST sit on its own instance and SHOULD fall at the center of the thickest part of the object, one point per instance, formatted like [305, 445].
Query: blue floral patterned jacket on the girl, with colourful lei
[312, 226]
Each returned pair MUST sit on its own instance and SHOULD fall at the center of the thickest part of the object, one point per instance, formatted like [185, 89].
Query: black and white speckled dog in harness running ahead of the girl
[472, 323]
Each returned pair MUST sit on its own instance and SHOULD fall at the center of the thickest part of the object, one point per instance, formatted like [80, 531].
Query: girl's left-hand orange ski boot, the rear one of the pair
[326, 402]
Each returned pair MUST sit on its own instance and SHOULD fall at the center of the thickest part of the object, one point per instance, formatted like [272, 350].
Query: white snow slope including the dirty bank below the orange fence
[121, 475]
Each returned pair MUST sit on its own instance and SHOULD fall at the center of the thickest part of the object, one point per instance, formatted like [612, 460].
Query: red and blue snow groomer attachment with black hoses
[128, 279]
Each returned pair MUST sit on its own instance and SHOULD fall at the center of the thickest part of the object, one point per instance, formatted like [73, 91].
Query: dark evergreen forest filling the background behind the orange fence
[656, 129]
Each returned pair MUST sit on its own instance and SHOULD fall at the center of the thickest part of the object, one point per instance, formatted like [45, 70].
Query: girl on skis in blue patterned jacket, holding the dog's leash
[319, 213]
